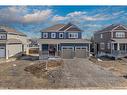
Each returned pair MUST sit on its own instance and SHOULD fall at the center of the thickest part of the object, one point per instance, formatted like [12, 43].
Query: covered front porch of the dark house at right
[119, 48]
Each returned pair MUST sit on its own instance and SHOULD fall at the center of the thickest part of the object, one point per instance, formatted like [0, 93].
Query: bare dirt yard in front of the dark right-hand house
[118, 67]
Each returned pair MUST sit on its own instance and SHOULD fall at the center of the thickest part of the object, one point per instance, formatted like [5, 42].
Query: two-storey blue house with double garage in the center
[64, 40]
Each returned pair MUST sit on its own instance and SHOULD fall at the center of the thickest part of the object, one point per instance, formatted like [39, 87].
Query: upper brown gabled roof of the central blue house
[62, 27]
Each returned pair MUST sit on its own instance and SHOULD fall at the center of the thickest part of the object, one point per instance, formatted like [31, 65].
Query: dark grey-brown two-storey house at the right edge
[111, 41]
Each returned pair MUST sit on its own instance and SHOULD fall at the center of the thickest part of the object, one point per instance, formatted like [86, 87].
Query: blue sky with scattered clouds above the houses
[31, 19]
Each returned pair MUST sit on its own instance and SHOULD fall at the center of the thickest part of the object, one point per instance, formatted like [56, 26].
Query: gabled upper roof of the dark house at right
[113, 26]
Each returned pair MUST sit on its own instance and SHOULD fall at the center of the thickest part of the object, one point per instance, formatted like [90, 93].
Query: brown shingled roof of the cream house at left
[11, 30]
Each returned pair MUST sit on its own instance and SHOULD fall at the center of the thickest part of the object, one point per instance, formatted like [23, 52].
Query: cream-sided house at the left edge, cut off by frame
[12, 43]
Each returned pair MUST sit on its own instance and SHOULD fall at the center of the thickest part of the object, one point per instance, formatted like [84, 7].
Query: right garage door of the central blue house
[81, 52]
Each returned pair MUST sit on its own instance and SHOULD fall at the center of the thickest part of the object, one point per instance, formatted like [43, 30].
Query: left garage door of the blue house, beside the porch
[67, 52]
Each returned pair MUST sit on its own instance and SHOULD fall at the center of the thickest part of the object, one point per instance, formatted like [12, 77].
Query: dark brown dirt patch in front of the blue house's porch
[39, 68]
